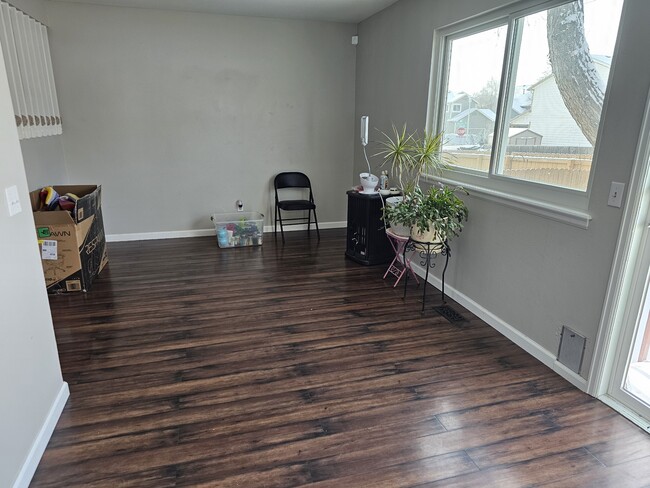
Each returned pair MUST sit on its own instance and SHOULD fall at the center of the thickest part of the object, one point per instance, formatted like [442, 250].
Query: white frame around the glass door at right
[636, 217]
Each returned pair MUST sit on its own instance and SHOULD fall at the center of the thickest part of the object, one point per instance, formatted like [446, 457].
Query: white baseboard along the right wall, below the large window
[523, 341]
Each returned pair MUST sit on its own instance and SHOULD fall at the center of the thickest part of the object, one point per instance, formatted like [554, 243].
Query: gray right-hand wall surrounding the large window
[530, 272]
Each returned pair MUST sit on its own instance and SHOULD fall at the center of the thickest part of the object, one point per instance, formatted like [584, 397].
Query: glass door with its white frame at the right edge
[620, 373]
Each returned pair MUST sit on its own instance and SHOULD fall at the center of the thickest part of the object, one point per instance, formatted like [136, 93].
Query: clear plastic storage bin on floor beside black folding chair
[239, 229]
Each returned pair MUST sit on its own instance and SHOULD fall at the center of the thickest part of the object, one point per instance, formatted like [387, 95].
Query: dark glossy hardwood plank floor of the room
[283, 366]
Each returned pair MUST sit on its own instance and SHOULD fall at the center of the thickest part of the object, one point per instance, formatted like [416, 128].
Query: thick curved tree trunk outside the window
[580, 85]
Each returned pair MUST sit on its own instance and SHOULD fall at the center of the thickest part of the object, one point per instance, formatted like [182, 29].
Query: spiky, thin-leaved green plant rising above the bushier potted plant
[411, 155]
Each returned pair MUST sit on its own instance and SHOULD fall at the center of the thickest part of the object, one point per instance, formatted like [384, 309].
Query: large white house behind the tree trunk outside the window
[548, 114]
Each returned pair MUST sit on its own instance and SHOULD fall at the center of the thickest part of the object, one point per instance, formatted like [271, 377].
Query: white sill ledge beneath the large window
[565, 215]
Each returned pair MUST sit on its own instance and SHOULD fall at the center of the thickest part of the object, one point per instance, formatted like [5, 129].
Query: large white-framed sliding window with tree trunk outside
[530, 85]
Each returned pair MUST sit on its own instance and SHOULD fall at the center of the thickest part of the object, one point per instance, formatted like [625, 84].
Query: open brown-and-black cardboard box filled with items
[72, 244]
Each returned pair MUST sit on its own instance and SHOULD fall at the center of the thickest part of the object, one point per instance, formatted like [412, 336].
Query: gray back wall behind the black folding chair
[179, 114]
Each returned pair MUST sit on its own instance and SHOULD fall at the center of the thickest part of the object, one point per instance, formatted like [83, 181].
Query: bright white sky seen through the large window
[485, 50]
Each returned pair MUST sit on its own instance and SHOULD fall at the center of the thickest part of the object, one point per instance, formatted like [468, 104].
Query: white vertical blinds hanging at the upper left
[26, 50]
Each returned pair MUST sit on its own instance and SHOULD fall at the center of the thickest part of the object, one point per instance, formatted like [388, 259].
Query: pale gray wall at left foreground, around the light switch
[28, 355]
